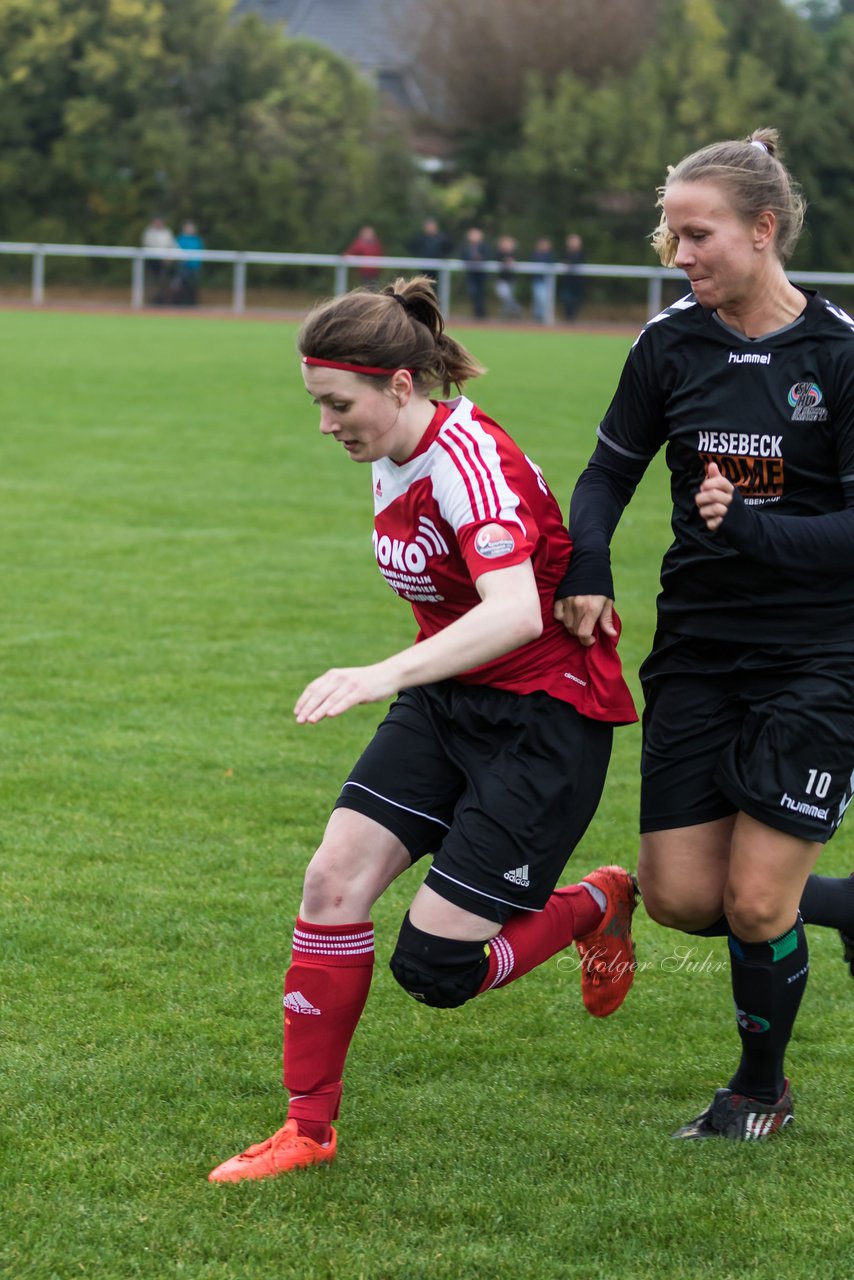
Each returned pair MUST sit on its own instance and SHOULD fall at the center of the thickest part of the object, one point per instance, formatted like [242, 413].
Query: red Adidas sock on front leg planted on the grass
[326, 990]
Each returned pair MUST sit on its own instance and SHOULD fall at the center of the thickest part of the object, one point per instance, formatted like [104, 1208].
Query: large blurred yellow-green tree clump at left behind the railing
[117, 109]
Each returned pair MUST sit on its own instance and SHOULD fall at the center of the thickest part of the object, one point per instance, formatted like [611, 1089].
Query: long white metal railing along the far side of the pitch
[341, 266]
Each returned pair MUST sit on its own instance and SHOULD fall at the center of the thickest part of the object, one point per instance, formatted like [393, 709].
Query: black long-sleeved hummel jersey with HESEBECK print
[778, 417]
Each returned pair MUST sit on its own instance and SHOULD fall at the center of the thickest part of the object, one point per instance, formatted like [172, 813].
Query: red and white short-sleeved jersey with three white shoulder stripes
[465, 504]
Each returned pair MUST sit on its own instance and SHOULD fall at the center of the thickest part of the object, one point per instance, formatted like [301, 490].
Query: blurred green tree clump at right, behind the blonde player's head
[591, 154]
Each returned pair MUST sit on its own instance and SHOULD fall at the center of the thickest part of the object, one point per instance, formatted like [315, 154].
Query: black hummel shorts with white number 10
[733, 728]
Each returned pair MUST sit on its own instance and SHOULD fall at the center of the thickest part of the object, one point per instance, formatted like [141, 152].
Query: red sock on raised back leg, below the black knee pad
[529, 939]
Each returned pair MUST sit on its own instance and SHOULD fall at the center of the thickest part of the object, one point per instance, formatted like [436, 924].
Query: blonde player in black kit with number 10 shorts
[748, 751]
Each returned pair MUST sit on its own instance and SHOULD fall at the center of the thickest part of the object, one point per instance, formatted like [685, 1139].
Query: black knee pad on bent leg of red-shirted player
[440, 972]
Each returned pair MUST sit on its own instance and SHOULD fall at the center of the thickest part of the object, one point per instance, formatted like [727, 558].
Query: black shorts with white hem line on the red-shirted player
[499, 787]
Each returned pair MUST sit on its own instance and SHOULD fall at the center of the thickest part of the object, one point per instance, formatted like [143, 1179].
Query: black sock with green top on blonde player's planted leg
[769, 980]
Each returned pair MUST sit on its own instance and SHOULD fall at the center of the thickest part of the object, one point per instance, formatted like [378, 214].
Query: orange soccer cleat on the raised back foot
[609, 954]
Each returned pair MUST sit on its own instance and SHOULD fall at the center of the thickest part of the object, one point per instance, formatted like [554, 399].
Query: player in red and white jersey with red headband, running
[495, 751]
